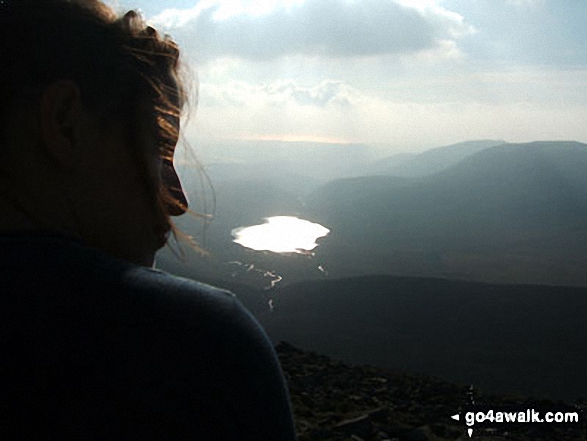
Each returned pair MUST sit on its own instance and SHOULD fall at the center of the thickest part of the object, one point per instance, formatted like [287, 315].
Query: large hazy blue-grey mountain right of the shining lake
[512, 213]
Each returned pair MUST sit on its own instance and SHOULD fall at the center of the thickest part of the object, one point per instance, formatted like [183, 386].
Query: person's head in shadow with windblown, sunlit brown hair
[89, 119]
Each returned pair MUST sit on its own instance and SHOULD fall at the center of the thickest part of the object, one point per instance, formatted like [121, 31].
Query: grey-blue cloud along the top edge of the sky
[323, 28]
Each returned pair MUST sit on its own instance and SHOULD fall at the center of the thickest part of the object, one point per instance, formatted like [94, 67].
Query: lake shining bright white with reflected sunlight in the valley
[281, 234]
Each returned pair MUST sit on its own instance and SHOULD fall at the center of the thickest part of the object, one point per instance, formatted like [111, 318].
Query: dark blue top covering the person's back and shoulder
[96, 348]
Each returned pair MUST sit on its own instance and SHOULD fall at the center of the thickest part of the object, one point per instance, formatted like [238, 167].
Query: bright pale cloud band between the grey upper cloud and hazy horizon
[517, 105]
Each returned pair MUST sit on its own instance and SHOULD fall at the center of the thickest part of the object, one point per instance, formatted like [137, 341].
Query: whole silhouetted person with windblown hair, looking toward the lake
[95, 344]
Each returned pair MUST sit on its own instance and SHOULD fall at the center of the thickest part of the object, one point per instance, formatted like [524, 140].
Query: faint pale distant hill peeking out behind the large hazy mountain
[428, 162]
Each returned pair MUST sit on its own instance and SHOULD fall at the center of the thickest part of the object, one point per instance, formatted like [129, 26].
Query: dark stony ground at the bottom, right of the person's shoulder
[335, 401]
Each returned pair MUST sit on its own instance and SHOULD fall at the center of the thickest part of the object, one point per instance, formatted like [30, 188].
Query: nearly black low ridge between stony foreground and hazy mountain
[506, 338]
